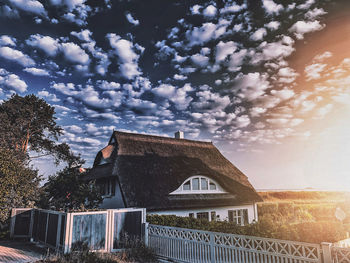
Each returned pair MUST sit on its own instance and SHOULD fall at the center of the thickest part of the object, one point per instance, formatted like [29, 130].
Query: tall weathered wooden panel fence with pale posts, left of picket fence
[107, 230]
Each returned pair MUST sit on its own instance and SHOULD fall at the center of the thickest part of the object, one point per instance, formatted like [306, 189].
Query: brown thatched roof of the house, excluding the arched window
[148, 168]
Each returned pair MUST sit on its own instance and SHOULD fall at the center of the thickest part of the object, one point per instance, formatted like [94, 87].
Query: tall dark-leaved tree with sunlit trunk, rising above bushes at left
[29, 123]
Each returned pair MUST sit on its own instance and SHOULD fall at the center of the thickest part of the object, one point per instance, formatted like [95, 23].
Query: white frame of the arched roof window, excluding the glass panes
[218, 189]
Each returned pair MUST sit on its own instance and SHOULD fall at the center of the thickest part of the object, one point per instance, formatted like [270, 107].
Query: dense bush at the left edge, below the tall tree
[18, 184]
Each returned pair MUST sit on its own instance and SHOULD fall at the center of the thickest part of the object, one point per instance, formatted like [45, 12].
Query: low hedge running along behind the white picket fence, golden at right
[269, 225]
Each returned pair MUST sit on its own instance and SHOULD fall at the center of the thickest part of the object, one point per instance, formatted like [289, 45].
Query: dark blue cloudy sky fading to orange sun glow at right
[266, 81]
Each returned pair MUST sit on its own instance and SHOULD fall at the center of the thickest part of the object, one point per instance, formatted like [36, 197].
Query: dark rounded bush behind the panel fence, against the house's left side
[67, 190]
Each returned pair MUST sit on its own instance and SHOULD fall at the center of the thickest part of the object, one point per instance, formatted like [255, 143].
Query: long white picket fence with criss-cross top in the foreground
[188, 245]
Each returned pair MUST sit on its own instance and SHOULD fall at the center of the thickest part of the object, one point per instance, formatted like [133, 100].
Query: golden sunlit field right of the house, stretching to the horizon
[310, 216]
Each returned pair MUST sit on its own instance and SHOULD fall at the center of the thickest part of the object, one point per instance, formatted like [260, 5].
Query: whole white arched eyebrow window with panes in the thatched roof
[199, 185]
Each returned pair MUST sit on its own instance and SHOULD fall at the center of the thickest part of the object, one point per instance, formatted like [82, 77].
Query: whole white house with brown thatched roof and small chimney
[173, 176]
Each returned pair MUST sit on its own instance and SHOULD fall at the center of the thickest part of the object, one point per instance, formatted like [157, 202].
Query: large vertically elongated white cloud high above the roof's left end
[126, 52]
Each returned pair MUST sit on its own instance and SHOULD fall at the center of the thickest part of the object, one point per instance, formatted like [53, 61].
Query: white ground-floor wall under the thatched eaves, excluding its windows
[221, 211]
